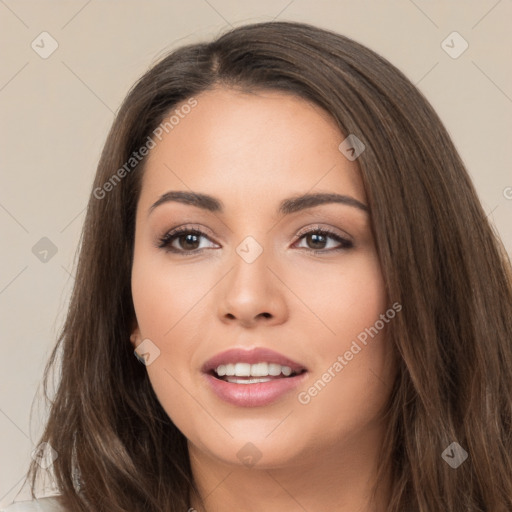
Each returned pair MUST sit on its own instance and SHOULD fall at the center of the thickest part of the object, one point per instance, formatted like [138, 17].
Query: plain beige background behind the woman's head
[55, 113]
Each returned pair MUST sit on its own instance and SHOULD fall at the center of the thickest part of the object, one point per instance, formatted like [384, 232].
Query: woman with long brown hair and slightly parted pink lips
[283, 233]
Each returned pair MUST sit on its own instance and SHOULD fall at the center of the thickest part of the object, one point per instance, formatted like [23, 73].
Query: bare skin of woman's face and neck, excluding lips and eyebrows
[251, 151]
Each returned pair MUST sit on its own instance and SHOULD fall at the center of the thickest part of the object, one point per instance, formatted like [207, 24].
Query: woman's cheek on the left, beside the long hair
[170, 298]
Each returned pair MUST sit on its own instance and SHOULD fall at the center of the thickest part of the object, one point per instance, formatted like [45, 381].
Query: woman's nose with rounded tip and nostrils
[252, 294]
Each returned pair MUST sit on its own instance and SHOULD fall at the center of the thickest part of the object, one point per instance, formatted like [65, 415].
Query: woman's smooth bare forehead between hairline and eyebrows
[250, 146]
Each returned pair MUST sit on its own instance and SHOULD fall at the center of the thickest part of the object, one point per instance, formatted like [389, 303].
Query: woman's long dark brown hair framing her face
[441, 260]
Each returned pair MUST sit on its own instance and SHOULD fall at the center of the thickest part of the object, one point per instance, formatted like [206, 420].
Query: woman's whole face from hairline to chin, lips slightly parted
[250, 269]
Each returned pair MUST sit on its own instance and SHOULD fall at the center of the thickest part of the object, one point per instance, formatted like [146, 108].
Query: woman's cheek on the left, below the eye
[164, 298]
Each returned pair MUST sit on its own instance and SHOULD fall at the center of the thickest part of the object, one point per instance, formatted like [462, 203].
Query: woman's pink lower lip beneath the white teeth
[253, 395]
